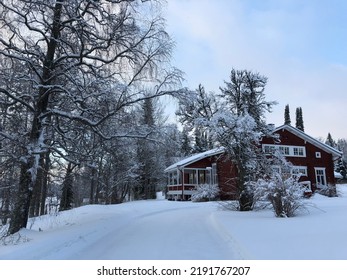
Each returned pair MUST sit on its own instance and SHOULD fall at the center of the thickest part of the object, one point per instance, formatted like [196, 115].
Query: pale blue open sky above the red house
[300, 46]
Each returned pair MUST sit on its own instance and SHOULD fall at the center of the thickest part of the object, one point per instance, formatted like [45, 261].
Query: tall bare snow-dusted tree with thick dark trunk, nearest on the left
[75, 56]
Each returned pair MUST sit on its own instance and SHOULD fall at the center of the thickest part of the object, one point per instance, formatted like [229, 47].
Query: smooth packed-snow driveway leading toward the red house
[183, 232]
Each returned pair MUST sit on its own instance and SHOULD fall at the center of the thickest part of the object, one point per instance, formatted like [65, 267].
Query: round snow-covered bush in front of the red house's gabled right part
[284, 193]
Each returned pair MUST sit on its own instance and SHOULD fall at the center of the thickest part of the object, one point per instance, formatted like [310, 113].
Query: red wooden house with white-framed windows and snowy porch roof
[311, 158]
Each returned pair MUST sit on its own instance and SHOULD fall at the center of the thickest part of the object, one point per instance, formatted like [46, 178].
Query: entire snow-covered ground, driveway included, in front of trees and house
[160, 229]
